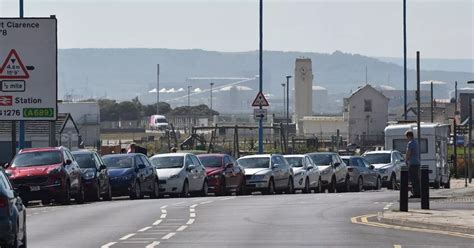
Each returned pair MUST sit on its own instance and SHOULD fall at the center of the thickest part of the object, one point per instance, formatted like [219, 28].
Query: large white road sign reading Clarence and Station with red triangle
[28, 68]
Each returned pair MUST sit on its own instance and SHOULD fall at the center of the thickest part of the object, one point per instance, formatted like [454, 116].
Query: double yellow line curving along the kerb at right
[364, 220]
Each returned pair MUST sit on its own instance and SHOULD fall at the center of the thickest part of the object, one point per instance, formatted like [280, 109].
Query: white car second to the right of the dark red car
[306, 174]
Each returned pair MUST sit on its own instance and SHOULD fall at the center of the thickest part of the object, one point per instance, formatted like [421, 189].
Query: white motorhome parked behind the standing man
[433, 148]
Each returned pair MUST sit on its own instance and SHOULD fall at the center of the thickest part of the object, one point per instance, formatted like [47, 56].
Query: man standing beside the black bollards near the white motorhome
[413, 163]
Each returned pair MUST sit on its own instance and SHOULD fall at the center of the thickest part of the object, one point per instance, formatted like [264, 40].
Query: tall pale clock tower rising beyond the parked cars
[303, 91]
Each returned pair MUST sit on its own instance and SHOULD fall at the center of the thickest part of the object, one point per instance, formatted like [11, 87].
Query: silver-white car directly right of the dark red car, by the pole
[267, 173]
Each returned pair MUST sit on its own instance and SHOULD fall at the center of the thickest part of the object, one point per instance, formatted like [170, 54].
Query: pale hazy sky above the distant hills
[437, 28]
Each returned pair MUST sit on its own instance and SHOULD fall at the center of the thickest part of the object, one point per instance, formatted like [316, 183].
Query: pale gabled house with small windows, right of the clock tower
[367, 110]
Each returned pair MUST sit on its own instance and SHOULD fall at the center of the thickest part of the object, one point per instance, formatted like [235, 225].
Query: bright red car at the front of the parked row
[45, 174]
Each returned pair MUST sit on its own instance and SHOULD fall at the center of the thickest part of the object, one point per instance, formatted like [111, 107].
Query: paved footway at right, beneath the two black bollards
[451, 211]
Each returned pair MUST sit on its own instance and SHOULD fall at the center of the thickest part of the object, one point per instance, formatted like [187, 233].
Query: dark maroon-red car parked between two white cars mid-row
[225, 175]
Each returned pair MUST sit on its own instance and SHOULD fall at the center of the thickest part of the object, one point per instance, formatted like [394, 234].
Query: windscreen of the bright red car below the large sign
[37, 158]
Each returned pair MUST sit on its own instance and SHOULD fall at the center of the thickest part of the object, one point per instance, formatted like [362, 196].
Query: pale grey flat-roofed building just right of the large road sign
[87, 118]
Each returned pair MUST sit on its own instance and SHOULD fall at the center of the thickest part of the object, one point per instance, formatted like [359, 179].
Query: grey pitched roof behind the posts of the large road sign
[40, 127]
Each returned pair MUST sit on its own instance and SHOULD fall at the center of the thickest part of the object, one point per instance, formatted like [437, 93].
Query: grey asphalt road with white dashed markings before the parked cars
[300, 220]
